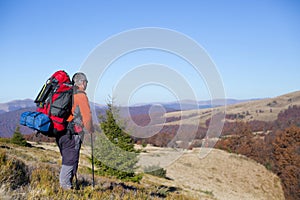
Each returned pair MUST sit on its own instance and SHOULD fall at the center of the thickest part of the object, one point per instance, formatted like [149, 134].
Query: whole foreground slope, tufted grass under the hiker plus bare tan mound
[32, 173]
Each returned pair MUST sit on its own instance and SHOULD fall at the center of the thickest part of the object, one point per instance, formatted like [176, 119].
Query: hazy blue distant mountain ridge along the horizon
[10, 112]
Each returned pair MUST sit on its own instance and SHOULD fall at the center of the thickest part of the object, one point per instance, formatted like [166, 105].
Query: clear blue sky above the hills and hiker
[254, 44]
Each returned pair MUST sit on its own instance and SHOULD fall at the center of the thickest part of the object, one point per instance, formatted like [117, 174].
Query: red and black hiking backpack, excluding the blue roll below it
[55, 100]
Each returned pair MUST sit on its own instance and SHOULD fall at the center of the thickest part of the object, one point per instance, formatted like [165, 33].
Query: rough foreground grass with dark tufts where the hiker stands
[32, 173]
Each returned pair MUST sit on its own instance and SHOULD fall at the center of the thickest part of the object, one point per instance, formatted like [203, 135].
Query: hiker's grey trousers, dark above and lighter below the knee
[69, 146]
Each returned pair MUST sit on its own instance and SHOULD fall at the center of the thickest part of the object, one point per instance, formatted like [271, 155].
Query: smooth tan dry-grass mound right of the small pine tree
[219, 175]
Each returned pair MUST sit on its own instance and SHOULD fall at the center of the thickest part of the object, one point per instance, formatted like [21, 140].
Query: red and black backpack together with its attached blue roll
[54, 105]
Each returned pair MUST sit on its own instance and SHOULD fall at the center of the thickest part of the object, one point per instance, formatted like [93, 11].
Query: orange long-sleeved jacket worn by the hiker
[80, 99]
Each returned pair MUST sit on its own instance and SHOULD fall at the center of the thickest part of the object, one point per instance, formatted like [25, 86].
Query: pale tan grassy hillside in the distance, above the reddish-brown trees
[261, 110]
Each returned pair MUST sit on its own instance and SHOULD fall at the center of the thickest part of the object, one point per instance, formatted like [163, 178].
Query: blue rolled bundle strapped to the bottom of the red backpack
[36, 120]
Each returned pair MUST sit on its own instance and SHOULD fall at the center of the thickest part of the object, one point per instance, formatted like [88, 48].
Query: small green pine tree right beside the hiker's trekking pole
[114, 149]
